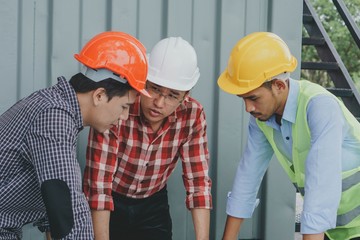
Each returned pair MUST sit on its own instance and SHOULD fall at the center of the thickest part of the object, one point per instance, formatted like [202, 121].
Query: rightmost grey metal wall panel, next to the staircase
[279, 213]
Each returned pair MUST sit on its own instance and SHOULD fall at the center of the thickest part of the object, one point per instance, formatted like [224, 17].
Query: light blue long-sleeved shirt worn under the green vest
[333, 149]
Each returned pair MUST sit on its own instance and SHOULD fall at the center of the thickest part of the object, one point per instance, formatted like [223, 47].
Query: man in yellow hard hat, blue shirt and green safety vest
[318, 149]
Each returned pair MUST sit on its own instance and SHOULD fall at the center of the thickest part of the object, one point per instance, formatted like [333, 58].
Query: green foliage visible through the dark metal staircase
[340, 37]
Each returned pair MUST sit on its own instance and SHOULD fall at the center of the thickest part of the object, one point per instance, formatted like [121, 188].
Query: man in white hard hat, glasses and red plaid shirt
[127, 168]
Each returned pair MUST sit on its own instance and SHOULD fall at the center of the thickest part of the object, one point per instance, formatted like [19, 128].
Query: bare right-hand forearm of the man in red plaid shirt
[201, 220]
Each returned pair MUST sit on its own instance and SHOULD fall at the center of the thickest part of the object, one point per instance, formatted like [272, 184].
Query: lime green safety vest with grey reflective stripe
[348, 213]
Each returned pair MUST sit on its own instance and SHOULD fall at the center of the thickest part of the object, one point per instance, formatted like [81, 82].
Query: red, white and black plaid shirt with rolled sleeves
[134, 161]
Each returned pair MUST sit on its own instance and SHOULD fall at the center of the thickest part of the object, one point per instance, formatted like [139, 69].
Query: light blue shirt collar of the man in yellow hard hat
[289, 114]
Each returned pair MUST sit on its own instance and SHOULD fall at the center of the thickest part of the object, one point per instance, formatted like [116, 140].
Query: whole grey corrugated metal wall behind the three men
[39, 37]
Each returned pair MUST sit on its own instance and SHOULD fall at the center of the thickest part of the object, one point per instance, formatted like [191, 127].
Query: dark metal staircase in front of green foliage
[330, 60]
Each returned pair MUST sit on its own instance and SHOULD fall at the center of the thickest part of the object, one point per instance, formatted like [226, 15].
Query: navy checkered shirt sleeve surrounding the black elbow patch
[53, 154]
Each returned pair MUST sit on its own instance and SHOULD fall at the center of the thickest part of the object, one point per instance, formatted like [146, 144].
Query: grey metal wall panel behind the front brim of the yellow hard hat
[238, 18]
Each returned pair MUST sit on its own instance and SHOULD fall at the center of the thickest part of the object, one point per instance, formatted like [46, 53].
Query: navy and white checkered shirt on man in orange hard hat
[38, 143]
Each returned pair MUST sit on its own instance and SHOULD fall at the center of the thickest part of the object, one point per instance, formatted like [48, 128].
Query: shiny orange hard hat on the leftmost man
[120, 53]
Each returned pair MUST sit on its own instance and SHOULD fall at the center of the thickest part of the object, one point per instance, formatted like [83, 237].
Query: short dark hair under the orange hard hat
[83, 84]
